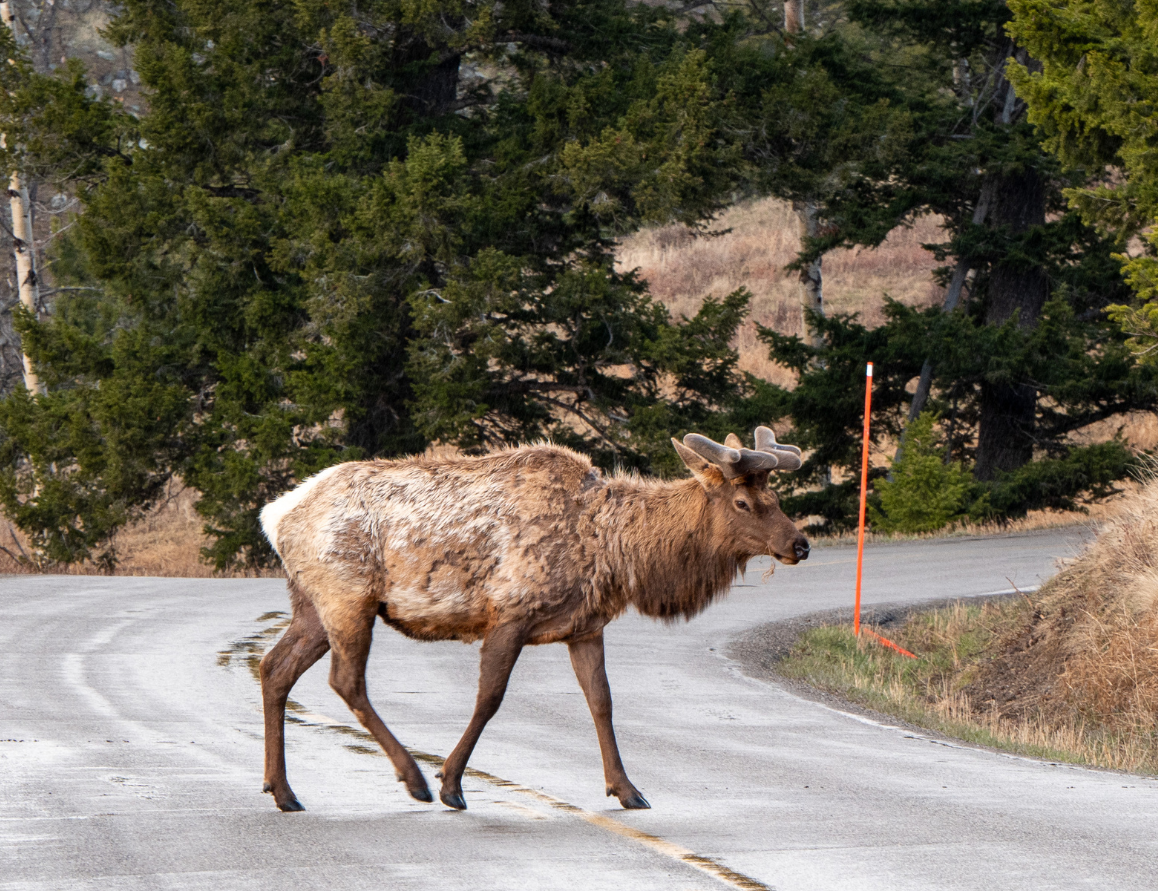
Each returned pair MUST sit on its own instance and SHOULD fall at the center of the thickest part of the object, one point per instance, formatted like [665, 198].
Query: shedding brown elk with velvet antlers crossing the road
[525, 546]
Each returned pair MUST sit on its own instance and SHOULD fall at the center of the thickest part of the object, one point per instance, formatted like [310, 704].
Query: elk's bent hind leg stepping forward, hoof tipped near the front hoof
[348, 678]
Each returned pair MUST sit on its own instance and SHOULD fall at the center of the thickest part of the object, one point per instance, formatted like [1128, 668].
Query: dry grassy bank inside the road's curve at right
[1068, 674]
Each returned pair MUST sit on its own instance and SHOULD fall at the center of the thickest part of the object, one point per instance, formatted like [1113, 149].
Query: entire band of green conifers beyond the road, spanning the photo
[350, 230]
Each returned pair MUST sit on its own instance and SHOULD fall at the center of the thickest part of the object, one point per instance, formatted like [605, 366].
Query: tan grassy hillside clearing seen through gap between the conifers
[763, 238]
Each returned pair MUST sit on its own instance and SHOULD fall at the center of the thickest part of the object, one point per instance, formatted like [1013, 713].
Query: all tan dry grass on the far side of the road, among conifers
[681, 269]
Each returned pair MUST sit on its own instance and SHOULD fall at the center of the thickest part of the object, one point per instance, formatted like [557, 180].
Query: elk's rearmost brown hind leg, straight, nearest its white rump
[303, 645]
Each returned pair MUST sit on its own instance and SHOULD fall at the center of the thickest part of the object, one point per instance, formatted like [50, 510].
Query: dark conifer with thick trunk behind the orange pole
[1022, 355]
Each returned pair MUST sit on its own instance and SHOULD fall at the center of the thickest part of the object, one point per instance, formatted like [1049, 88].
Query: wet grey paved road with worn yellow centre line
[130, 756]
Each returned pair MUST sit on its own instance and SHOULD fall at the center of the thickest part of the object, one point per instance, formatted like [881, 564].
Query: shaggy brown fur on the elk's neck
[659, 551]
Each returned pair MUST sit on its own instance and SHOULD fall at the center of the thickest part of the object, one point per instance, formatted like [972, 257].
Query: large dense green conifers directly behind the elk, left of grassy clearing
[345, 230]
